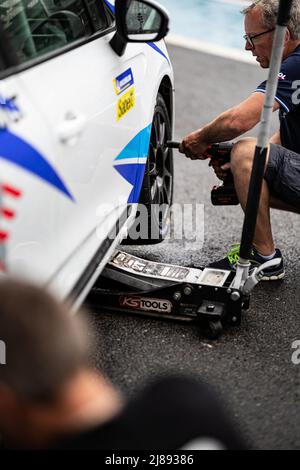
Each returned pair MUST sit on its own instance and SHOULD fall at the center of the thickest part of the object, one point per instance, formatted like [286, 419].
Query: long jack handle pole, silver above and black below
[261, 150]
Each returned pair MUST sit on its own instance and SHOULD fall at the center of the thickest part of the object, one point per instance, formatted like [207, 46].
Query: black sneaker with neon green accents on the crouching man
[229, 263]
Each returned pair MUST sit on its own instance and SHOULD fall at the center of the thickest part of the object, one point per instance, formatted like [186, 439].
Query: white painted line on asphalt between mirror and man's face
[208, 48]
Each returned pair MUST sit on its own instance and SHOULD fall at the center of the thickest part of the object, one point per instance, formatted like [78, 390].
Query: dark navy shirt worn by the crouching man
[288, 97]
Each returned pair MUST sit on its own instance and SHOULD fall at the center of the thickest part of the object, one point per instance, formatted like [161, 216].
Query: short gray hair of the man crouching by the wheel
[270, 12]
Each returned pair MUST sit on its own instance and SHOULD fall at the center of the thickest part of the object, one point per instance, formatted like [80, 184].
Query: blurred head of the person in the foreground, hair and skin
[47, 388]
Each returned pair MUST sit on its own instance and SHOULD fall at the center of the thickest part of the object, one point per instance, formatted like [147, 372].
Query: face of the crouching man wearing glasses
[262, 49]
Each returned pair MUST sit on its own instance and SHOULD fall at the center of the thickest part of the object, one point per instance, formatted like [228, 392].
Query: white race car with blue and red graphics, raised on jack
[86, 108]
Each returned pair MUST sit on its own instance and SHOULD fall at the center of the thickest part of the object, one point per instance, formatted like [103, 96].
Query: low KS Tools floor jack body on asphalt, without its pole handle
[207, 297]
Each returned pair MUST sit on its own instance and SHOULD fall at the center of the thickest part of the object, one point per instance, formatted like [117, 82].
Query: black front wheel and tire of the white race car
[157, 189]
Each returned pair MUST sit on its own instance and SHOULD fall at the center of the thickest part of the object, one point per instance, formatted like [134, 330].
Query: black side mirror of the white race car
[138, 21]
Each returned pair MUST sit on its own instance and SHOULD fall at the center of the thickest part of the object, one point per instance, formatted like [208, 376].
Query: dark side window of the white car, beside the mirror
[37, 27]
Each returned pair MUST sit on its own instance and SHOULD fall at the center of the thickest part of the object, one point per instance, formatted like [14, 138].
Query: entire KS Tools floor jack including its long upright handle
[209, 297]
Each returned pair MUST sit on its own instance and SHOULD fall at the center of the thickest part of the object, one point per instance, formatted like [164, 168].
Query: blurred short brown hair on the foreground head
[45, 345]
